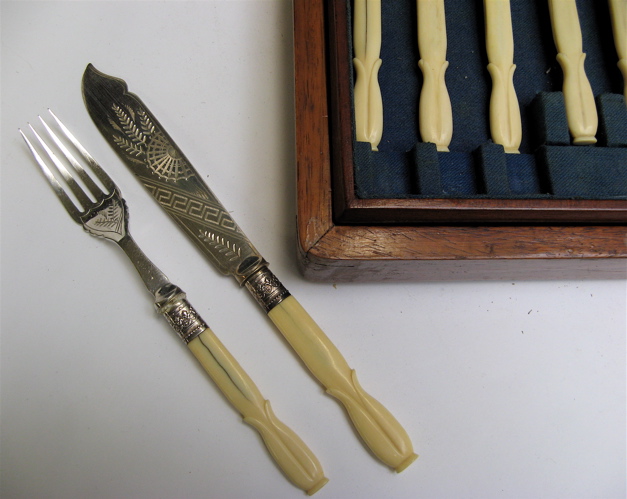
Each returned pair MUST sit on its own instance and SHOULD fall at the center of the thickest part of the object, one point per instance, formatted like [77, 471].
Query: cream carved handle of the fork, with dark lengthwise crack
[291, 454]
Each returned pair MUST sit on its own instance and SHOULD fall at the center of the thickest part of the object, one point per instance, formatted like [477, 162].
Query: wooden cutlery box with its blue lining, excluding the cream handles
[409, 213]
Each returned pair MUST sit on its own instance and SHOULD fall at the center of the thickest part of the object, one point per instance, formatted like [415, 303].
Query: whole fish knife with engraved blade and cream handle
[151, 154]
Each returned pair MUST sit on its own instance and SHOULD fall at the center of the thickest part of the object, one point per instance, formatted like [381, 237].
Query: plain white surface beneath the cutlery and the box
[508, 389]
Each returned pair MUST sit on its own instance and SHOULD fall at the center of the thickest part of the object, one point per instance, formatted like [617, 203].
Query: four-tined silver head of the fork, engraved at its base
[100, 209]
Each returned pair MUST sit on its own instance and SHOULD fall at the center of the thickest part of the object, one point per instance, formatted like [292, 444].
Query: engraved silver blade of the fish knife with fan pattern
[163, 169]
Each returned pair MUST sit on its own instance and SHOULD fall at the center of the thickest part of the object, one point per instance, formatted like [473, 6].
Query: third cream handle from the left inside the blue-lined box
[505, 124]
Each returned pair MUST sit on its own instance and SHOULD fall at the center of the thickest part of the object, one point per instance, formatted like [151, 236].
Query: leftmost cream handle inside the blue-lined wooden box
[366, 93]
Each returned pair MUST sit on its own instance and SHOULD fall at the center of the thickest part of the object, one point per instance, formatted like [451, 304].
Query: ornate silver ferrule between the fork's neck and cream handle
[171, 301]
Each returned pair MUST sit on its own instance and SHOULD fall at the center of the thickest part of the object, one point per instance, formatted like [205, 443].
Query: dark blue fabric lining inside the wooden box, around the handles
[548, 165]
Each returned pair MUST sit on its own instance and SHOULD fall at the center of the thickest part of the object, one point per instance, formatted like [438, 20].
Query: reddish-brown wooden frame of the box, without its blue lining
[344, 238]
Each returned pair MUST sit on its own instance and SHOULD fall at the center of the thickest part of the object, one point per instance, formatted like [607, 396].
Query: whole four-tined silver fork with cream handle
[102, 212]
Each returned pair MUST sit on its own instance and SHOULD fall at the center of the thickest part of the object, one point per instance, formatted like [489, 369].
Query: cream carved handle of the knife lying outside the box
[378, 428]
